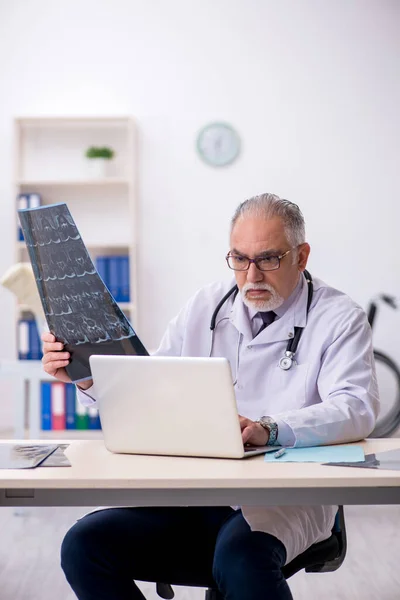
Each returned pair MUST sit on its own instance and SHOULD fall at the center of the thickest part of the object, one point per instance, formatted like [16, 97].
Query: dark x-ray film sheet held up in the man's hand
[79, 309]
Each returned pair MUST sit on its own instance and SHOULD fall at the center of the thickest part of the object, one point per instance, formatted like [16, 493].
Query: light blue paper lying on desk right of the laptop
[320, 454]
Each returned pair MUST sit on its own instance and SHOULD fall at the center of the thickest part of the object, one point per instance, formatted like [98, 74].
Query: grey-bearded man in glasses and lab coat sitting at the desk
[326, 393]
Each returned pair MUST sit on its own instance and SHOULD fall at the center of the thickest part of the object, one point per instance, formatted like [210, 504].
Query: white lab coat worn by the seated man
[329, 396]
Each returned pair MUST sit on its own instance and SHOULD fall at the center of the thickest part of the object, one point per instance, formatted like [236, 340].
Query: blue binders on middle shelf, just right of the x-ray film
[114, 271]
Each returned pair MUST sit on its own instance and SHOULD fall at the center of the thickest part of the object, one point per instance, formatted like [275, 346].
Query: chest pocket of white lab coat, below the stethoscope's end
[288, 388]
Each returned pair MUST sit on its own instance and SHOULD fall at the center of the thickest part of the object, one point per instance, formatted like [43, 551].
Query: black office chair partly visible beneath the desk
[319, 558]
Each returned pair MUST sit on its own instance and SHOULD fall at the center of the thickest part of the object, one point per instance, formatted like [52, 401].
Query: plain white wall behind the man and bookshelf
[311, 86]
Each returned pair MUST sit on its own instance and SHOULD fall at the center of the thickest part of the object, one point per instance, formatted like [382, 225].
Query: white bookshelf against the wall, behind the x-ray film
[50, 162]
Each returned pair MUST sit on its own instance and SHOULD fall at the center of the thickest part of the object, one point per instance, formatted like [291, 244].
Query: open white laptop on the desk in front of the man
[174, 406]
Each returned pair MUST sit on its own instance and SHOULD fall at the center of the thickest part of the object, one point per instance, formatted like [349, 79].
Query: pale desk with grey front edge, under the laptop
[98, 477]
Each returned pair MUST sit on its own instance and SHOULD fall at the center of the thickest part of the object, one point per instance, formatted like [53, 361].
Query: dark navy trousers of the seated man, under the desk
[103, 553]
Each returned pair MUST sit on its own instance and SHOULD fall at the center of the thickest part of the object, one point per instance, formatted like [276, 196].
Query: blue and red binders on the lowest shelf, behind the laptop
[61, 410]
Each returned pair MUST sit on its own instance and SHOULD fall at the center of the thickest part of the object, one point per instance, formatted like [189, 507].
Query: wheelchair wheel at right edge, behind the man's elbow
[390, 419]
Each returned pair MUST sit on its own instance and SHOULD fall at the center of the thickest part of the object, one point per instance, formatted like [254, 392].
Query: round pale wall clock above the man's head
[218, 144]
